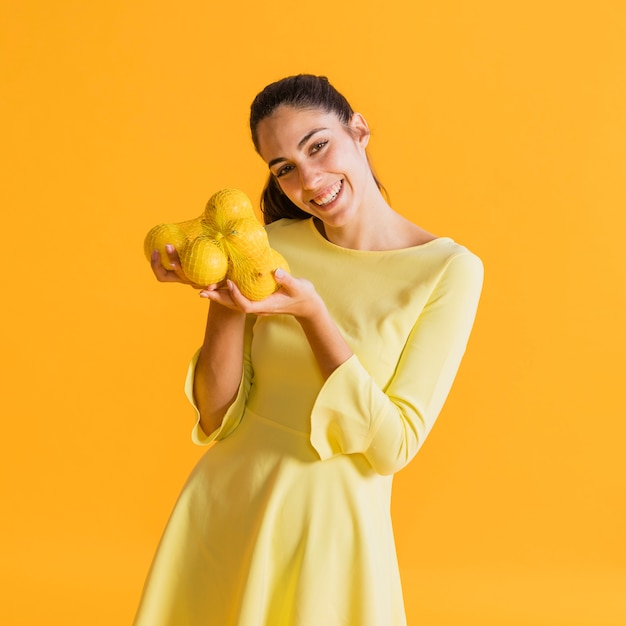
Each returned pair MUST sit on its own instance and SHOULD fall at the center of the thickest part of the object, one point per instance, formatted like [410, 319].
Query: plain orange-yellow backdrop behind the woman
[501, 124]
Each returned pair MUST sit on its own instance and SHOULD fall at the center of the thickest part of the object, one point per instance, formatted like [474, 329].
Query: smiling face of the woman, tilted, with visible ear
[319, 163]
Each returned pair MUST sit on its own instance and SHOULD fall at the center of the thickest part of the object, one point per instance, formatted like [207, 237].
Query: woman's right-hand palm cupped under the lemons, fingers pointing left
[295, 296]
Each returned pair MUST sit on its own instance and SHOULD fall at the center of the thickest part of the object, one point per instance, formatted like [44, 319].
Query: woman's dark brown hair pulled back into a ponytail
[304, 91]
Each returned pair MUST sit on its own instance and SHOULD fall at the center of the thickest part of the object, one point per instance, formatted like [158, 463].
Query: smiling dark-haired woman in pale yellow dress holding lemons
[316, 395]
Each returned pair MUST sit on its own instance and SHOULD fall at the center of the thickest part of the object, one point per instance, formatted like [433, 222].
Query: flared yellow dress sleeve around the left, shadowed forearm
[235, 412]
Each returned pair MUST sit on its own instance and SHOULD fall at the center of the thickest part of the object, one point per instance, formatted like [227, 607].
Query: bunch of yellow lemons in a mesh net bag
[226, 241]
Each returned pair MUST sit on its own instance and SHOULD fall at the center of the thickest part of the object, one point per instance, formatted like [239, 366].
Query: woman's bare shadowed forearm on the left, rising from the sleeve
[220, 365]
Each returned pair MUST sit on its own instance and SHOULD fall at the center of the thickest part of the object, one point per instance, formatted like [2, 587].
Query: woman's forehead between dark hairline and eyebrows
[282, 131]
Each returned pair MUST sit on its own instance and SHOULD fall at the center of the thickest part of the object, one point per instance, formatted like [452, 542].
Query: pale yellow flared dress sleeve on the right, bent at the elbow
[352, 414]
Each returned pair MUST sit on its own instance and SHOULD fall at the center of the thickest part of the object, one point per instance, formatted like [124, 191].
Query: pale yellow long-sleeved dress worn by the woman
[285, 521]
